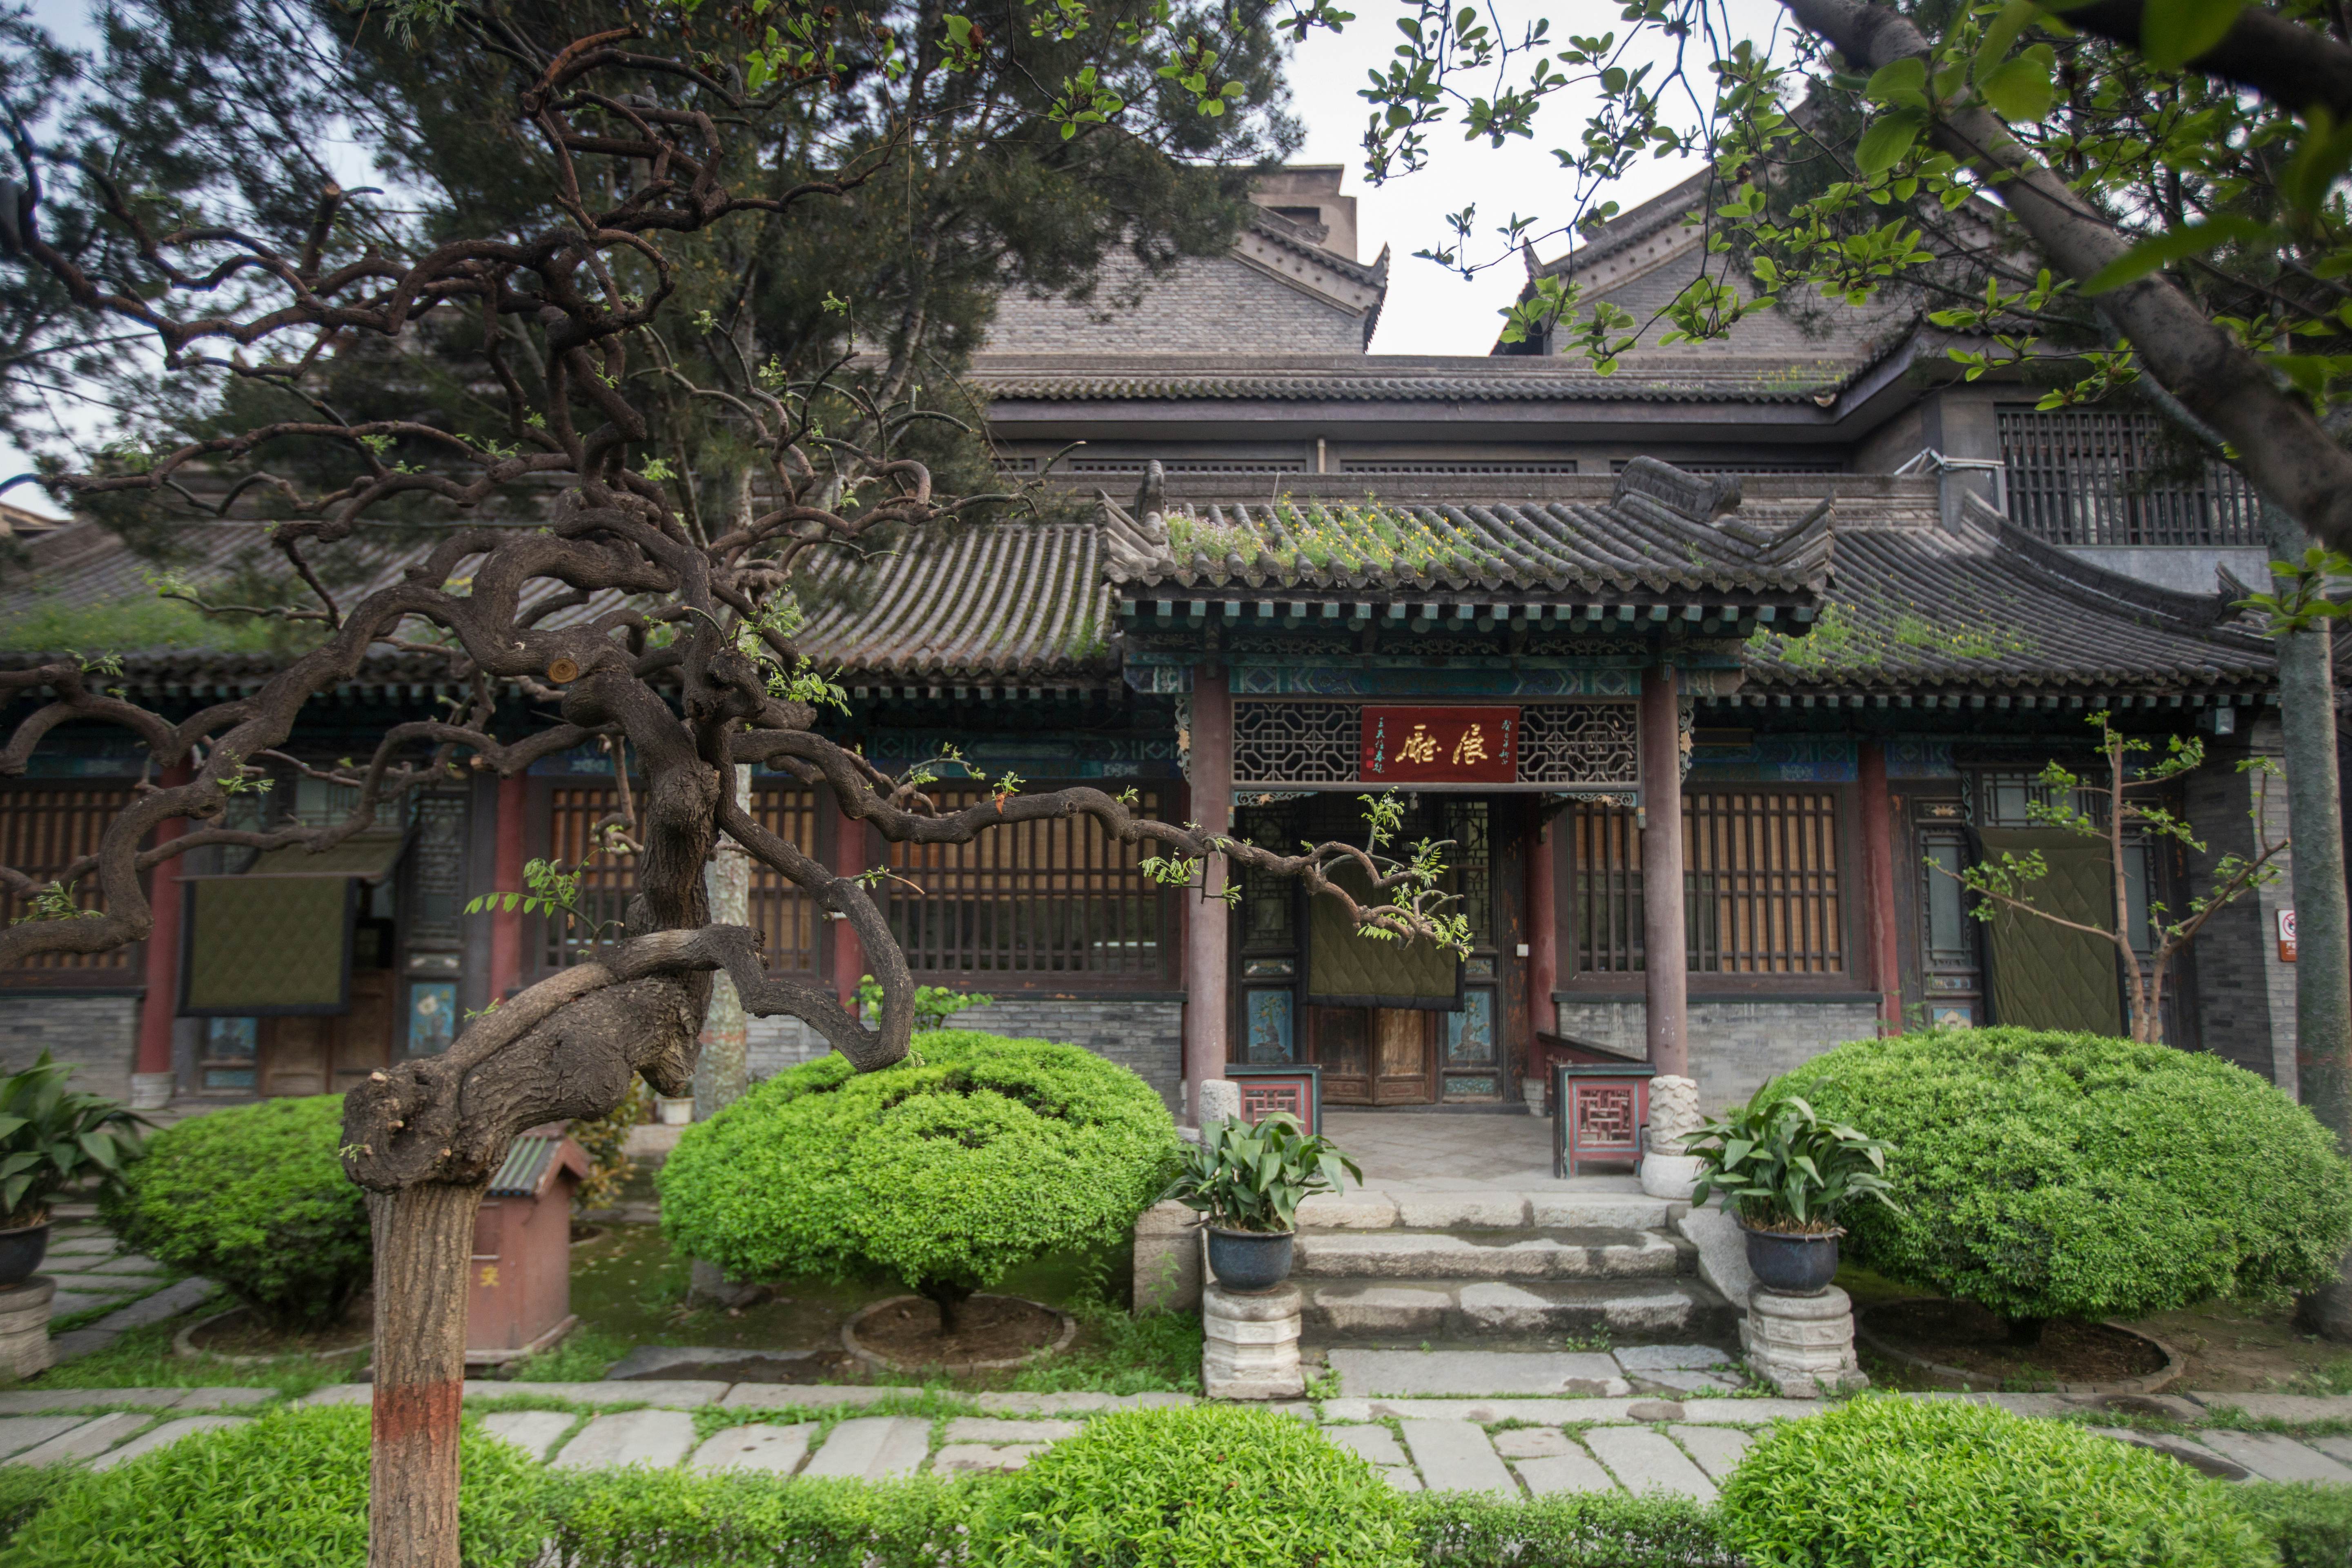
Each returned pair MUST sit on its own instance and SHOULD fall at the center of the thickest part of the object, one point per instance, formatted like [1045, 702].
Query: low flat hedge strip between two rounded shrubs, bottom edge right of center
[1568, 1532]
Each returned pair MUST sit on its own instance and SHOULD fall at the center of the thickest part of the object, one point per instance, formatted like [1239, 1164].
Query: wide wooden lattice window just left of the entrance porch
[1029, 899]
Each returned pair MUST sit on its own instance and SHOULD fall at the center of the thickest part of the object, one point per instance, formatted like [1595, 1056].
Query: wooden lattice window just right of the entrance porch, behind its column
[1763, 887]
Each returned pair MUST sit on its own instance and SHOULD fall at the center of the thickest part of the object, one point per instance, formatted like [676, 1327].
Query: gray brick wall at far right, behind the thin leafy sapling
[2245, 996]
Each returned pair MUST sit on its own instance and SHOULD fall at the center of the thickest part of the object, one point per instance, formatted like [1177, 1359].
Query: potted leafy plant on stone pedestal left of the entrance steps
[1248, 1184]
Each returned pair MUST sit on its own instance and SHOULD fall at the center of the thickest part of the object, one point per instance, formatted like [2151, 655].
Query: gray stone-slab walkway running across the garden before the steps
[1499, 1447]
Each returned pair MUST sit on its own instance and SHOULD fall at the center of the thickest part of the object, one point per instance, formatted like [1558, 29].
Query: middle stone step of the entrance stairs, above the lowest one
[1490, 1254]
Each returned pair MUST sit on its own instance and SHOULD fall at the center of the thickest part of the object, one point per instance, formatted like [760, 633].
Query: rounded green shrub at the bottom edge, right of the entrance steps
[1935, 1485]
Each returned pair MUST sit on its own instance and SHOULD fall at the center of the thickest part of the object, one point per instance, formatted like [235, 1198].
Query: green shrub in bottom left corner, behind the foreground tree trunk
[283, 1489]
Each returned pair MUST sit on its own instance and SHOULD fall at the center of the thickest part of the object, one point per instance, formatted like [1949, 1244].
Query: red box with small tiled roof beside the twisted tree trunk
[519, 1296]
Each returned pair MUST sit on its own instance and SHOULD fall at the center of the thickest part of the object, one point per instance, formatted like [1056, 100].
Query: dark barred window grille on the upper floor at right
[2099, 478]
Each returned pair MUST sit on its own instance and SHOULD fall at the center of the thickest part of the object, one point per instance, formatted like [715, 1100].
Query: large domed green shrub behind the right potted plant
[2054, 1174]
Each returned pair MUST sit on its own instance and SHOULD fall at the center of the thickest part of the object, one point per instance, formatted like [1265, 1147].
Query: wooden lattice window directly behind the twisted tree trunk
[789, 918]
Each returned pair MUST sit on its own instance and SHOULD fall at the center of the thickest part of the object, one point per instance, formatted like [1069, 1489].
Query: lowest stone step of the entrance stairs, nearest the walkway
[1403, 1311]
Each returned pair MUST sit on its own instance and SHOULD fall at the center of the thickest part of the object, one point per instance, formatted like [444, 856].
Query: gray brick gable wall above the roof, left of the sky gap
[1205, 304]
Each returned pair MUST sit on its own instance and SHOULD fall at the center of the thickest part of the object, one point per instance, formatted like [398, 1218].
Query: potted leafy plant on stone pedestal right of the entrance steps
[1786, 1174]
